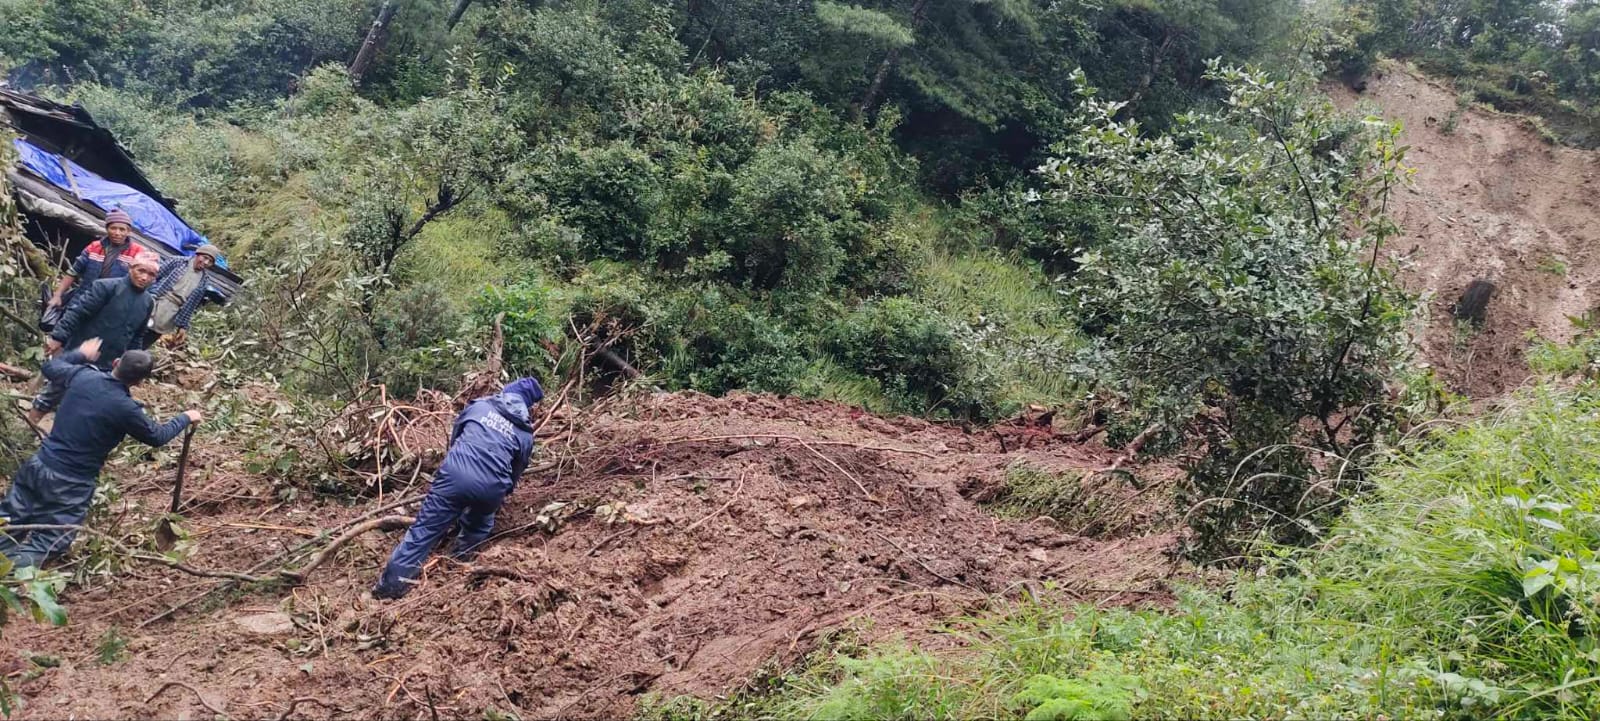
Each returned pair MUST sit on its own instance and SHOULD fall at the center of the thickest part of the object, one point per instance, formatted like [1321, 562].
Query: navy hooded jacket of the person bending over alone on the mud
[490, 445]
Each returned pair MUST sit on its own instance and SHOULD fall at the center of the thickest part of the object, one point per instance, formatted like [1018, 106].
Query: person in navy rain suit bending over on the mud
[490, 447]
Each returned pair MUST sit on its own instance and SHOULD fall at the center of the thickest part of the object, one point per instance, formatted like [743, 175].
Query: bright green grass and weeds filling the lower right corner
[1463, 588]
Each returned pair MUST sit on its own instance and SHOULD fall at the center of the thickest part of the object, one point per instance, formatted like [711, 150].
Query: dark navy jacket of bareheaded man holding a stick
[95, 416]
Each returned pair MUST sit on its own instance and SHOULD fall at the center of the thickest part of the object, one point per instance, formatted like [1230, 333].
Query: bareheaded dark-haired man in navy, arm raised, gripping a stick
[57, 485]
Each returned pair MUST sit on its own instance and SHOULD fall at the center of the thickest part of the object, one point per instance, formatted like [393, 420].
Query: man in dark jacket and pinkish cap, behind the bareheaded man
[113, 311]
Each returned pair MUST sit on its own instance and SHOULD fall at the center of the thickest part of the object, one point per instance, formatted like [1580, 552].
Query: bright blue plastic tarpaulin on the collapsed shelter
[151, 218]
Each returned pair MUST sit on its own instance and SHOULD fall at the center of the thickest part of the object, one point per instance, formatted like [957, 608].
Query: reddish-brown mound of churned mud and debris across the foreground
[686, 564]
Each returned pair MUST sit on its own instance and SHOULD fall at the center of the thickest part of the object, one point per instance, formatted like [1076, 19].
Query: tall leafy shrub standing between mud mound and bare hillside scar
[1234, 301]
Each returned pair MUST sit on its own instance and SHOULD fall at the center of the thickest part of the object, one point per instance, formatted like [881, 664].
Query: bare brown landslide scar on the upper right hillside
[1492, 201]
